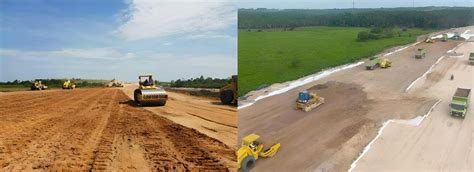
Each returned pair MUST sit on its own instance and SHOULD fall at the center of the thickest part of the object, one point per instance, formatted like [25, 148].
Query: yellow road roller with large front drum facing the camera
[148, 93]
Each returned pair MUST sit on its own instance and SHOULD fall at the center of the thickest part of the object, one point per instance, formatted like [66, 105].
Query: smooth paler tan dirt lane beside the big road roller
[206, 115]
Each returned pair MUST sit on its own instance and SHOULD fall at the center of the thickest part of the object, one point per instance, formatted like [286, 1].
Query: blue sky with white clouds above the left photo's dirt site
[117, 39]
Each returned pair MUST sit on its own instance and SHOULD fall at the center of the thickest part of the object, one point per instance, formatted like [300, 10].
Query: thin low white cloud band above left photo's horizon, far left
[91, 53]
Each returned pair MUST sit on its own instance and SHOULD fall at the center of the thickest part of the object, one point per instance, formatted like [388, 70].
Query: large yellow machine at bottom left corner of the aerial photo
[250, 150]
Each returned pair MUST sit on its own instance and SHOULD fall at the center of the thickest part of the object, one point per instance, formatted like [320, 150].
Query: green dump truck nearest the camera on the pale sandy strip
[460, 102]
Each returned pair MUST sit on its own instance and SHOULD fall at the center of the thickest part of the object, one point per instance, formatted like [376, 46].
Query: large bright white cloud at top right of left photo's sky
[147, 19]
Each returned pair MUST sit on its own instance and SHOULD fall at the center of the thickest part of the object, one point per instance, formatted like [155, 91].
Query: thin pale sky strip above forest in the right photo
[330, 4]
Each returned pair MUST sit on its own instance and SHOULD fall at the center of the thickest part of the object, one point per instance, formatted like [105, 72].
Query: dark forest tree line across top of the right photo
[424, 17]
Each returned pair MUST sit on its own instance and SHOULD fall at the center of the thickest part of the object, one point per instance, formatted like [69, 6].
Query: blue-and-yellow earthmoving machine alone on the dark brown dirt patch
[307, 101]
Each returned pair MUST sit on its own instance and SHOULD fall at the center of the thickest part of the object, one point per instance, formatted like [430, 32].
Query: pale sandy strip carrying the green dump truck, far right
[440, 142]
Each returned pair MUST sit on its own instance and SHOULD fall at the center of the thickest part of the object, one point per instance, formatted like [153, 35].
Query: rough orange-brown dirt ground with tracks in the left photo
[98, 129]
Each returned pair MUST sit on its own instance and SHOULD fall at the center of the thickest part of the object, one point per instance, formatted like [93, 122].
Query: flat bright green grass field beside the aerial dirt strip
[279, 56]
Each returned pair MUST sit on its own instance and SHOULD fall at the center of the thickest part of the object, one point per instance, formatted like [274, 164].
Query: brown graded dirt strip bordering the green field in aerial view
[358, 101]
